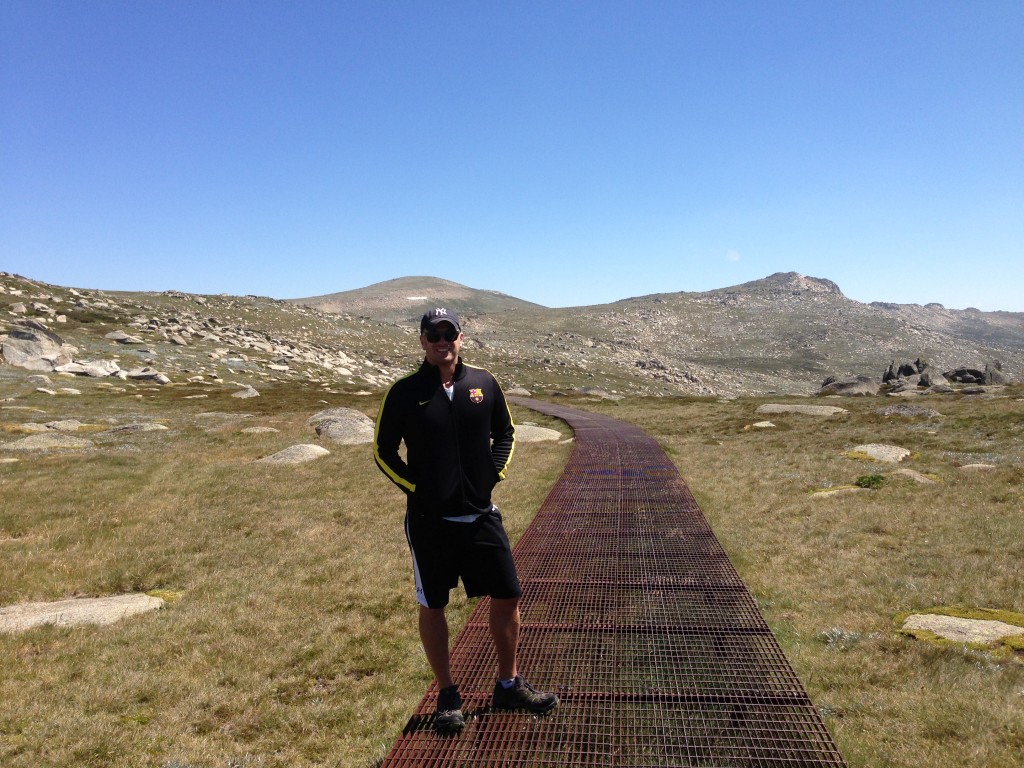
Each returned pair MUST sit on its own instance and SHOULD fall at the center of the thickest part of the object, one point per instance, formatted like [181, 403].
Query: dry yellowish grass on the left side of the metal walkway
[293, 641]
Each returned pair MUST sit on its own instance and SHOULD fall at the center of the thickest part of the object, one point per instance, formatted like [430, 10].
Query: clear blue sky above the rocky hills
[565, 153]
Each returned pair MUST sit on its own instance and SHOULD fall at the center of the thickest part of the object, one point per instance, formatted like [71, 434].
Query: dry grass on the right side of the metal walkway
[831, 576]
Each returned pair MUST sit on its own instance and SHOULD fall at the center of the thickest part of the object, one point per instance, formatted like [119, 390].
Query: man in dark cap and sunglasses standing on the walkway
[459, 439]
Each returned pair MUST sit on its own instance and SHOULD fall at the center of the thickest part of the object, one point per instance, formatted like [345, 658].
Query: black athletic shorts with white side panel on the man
[478, 552]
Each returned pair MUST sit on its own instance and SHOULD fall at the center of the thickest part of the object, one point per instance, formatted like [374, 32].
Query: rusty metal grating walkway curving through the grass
[634, 615]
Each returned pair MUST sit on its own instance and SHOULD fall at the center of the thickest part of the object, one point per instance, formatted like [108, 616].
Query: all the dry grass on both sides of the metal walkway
[292, 641]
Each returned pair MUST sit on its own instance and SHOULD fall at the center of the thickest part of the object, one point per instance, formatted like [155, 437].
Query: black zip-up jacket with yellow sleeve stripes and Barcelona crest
[457, 451]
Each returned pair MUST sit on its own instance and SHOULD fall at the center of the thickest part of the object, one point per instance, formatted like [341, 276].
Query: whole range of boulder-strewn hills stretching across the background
[787, 334]
